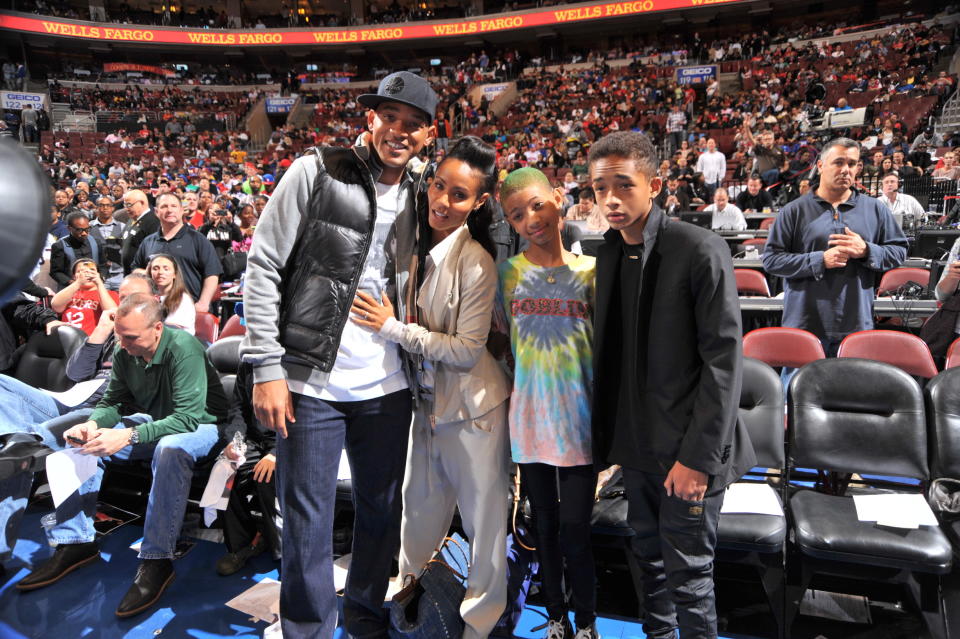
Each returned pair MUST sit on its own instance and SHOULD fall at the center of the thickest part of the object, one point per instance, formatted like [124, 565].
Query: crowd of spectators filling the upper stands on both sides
[763, 125]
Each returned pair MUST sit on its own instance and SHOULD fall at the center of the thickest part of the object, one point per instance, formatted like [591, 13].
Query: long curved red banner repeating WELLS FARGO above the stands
[285, 37]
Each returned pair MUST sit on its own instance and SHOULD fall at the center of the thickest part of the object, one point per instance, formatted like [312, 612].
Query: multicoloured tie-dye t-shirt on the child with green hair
[550, 310]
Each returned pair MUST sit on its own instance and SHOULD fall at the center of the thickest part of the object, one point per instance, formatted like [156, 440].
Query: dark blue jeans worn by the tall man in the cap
[375, 433]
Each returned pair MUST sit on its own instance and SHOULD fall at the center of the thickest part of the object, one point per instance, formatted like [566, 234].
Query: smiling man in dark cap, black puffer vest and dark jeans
[340, 220]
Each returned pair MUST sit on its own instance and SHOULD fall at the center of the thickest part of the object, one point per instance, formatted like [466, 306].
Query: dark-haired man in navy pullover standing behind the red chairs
[828, 245]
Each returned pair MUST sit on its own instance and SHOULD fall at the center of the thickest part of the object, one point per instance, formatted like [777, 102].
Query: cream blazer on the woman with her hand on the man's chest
[452, 329]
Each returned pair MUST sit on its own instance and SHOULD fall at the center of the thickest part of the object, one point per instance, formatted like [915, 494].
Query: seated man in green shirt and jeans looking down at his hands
[166, 374]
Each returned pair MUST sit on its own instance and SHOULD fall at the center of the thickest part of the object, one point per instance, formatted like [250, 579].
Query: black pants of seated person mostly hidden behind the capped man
[240, 525]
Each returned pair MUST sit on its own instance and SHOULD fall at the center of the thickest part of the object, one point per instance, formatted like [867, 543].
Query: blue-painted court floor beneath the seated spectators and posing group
[83, 603]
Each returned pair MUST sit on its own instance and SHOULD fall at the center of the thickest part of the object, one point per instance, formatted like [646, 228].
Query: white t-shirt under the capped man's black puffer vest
[367, 365]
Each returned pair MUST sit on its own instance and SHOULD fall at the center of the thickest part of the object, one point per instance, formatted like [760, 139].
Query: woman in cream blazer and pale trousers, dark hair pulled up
[458, 452]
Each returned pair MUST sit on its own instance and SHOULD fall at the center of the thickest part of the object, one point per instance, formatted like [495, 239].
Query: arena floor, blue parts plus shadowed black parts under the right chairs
[83, 603]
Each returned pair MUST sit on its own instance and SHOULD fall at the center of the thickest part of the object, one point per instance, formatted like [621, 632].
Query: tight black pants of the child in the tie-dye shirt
[562, 501]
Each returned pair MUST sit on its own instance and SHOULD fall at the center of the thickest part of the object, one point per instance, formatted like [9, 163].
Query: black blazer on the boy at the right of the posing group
[690, 358]
